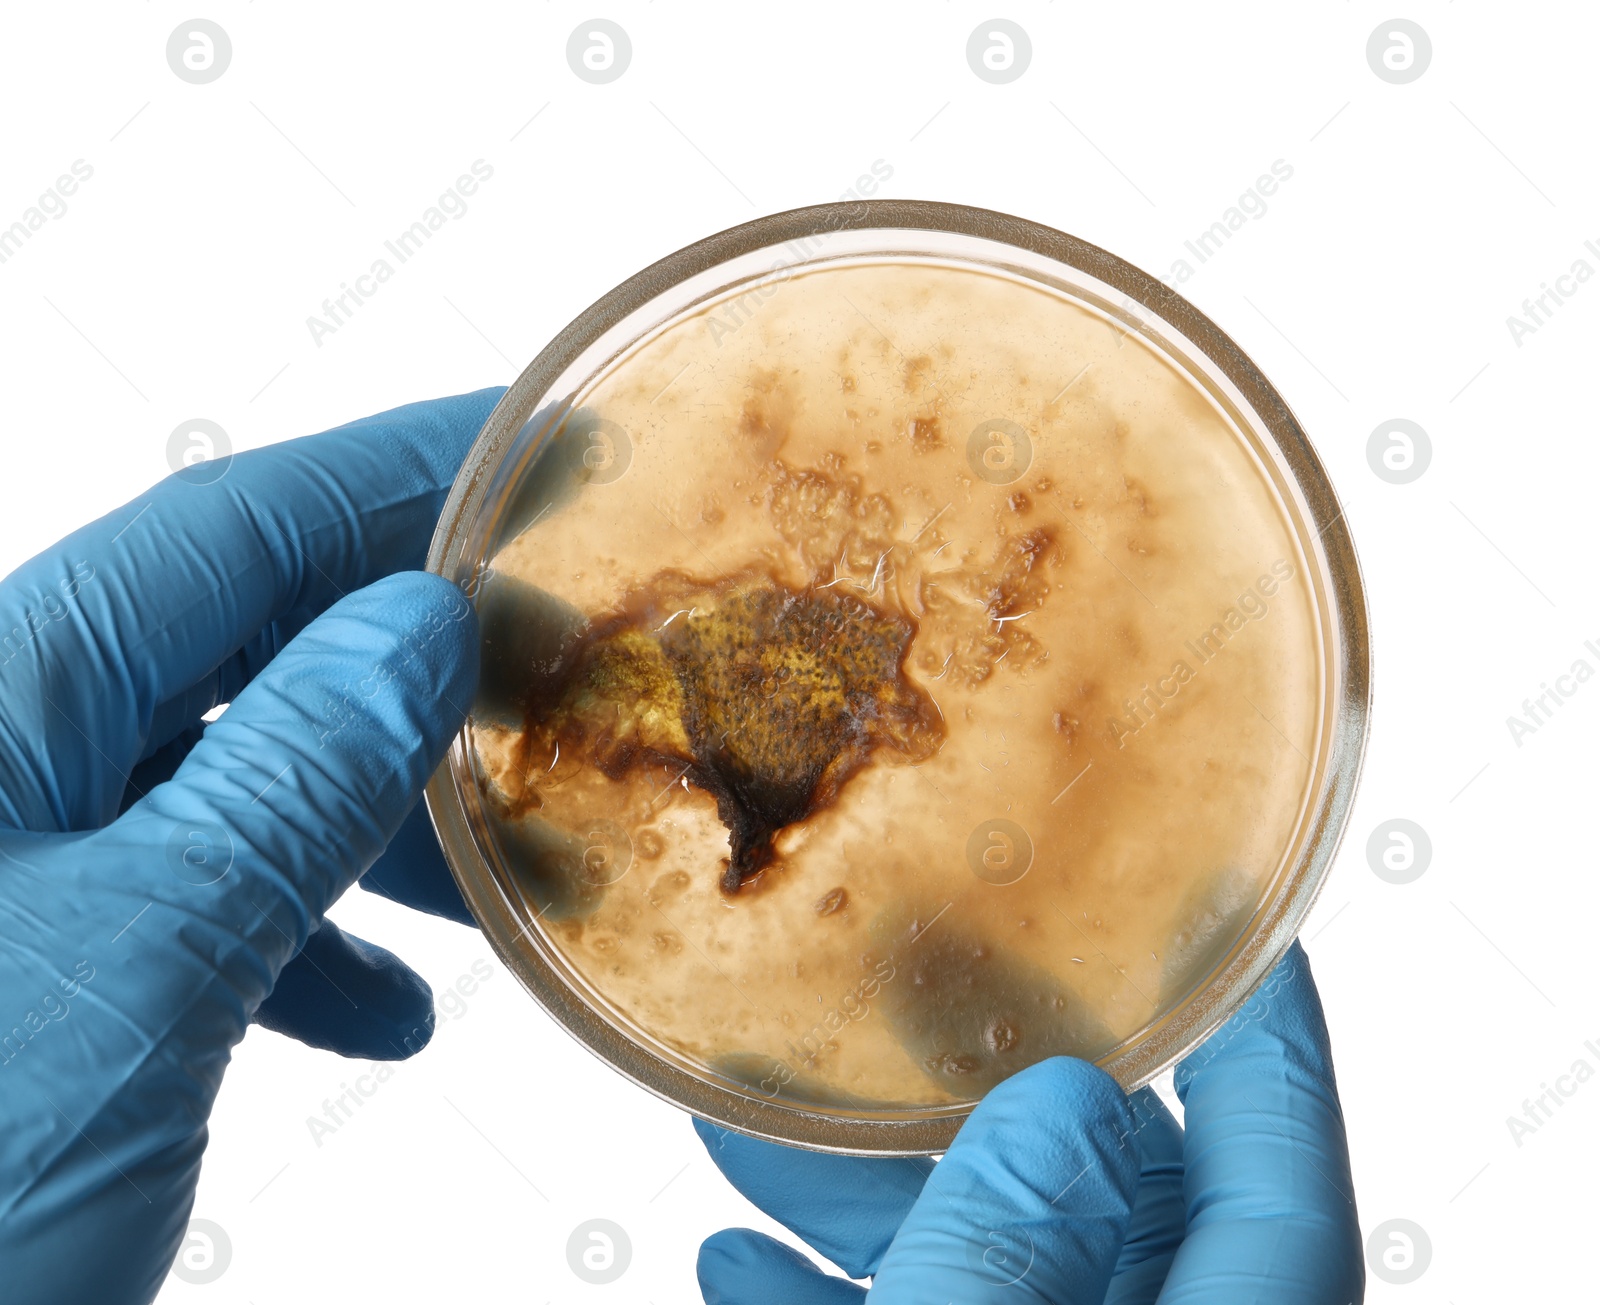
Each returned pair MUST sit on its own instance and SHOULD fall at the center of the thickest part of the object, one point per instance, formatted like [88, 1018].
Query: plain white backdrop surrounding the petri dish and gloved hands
[1377, 285]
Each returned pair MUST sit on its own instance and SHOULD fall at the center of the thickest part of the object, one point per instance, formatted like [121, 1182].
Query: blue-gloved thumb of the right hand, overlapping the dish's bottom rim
[1033, 1200]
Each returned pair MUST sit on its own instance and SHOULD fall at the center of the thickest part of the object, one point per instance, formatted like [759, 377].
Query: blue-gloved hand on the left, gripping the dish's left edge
[166, 884]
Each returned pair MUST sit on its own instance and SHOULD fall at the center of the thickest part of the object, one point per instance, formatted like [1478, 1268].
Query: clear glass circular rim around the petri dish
[1097, 279]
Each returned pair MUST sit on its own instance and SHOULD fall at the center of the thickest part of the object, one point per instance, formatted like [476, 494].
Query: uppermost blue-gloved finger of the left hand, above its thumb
[145, 604]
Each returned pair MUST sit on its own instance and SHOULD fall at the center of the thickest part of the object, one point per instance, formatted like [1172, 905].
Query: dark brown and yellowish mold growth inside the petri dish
[764, 696]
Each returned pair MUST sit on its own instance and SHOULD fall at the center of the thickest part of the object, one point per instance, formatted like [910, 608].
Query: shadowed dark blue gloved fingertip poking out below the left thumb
[351, 997]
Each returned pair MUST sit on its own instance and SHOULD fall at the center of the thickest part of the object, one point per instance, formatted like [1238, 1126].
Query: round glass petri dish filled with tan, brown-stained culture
[916, 644]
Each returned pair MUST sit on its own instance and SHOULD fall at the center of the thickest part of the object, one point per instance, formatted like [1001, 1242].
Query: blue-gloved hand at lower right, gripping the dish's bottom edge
[1060, 1189]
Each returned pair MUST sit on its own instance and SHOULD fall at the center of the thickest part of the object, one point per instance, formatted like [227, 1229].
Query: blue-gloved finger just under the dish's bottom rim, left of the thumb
[847, 1208]
